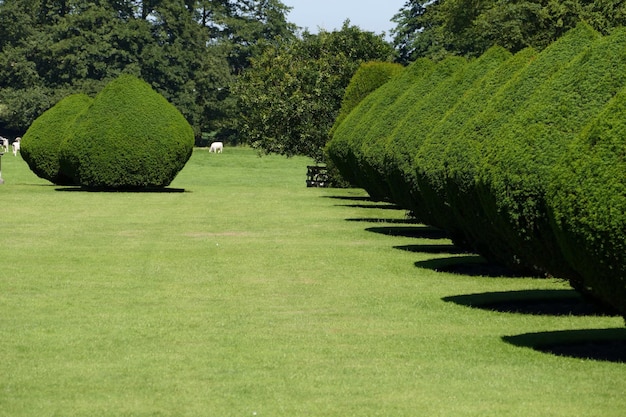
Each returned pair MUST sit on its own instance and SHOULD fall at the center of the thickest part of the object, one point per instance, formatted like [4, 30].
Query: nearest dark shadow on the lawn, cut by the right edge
[592, 344]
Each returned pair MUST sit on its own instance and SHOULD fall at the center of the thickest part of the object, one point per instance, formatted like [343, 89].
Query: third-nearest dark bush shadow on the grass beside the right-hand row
[470, 265]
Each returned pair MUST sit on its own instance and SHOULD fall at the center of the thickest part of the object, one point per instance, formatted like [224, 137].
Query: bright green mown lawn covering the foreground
[250, 294]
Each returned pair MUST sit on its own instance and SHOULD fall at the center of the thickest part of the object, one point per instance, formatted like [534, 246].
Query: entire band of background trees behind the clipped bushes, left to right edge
[238, 70]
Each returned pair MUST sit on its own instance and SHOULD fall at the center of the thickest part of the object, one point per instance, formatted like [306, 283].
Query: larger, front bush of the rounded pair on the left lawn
[130, 137]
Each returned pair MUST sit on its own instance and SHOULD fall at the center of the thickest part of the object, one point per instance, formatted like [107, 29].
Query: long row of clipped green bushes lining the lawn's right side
[520, 158]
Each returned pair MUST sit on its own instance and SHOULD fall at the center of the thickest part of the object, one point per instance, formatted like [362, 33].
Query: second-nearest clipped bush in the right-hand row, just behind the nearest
[517, 163]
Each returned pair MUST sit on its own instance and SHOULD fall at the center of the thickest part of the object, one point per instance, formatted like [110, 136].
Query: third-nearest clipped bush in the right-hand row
[464, 154]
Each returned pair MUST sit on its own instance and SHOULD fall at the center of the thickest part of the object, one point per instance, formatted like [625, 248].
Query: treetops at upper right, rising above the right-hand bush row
[468, 27]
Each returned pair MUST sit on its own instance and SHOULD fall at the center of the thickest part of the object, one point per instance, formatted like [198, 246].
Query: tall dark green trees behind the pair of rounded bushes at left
[188, 51]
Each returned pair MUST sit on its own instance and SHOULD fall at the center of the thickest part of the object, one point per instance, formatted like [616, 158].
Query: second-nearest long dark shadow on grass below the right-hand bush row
[534, 302]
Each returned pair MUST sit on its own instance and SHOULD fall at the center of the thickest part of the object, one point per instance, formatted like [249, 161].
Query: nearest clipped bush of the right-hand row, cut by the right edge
[587, 200]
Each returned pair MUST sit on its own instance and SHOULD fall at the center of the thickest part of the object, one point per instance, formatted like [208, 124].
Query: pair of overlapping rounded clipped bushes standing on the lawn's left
[127, 137]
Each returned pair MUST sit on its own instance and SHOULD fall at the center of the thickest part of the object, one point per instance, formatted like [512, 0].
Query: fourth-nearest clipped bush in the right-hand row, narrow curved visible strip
[430, 163]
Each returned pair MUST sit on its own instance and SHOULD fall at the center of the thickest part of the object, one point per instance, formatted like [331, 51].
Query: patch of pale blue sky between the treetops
[369, 15]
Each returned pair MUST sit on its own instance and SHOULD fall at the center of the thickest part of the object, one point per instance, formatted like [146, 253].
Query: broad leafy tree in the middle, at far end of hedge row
[291, 95]
